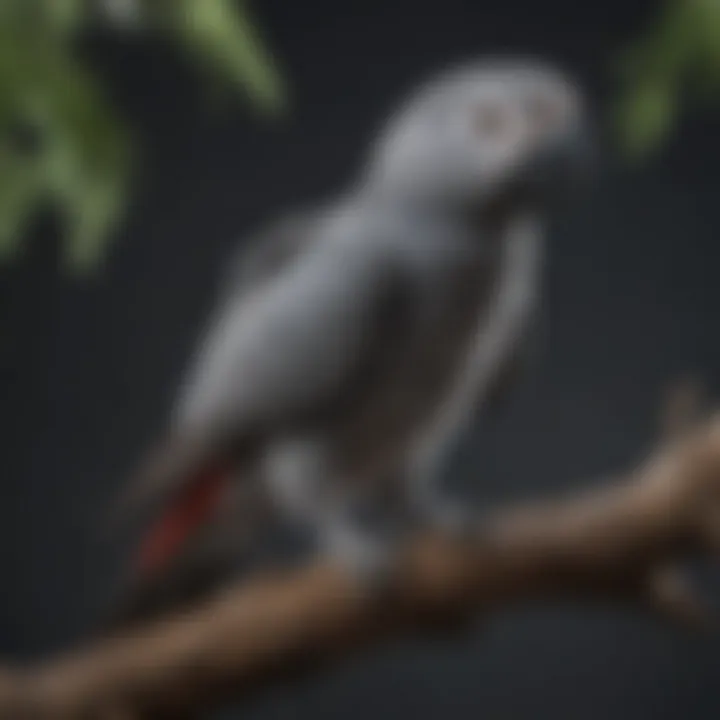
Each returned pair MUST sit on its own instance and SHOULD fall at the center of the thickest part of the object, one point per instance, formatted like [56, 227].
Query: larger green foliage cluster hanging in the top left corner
[61, 144]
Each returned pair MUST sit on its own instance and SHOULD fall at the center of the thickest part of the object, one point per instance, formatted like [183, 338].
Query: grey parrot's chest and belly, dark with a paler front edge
[466, 326]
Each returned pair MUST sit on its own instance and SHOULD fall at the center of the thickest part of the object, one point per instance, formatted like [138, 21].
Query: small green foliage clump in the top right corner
[678, 57]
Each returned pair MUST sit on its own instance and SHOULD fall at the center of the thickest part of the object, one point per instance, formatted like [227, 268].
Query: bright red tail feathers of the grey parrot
[187, 513]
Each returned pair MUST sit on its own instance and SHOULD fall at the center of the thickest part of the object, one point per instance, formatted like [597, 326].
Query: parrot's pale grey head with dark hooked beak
[485, 131]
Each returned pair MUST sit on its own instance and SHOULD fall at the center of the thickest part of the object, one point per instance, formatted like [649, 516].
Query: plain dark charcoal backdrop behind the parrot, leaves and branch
[88, 367]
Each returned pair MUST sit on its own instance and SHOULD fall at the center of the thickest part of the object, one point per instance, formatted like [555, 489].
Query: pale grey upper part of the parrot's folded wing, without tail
[294, 342]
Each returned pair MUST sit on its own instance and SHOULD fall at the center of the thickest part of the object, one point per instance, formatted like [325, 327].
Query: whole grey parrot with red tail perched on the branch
[353, 342]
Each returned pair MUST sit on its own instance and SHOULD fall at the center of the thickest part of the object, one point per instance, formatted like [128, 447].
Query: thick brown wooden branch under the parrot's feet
[620, 542]
